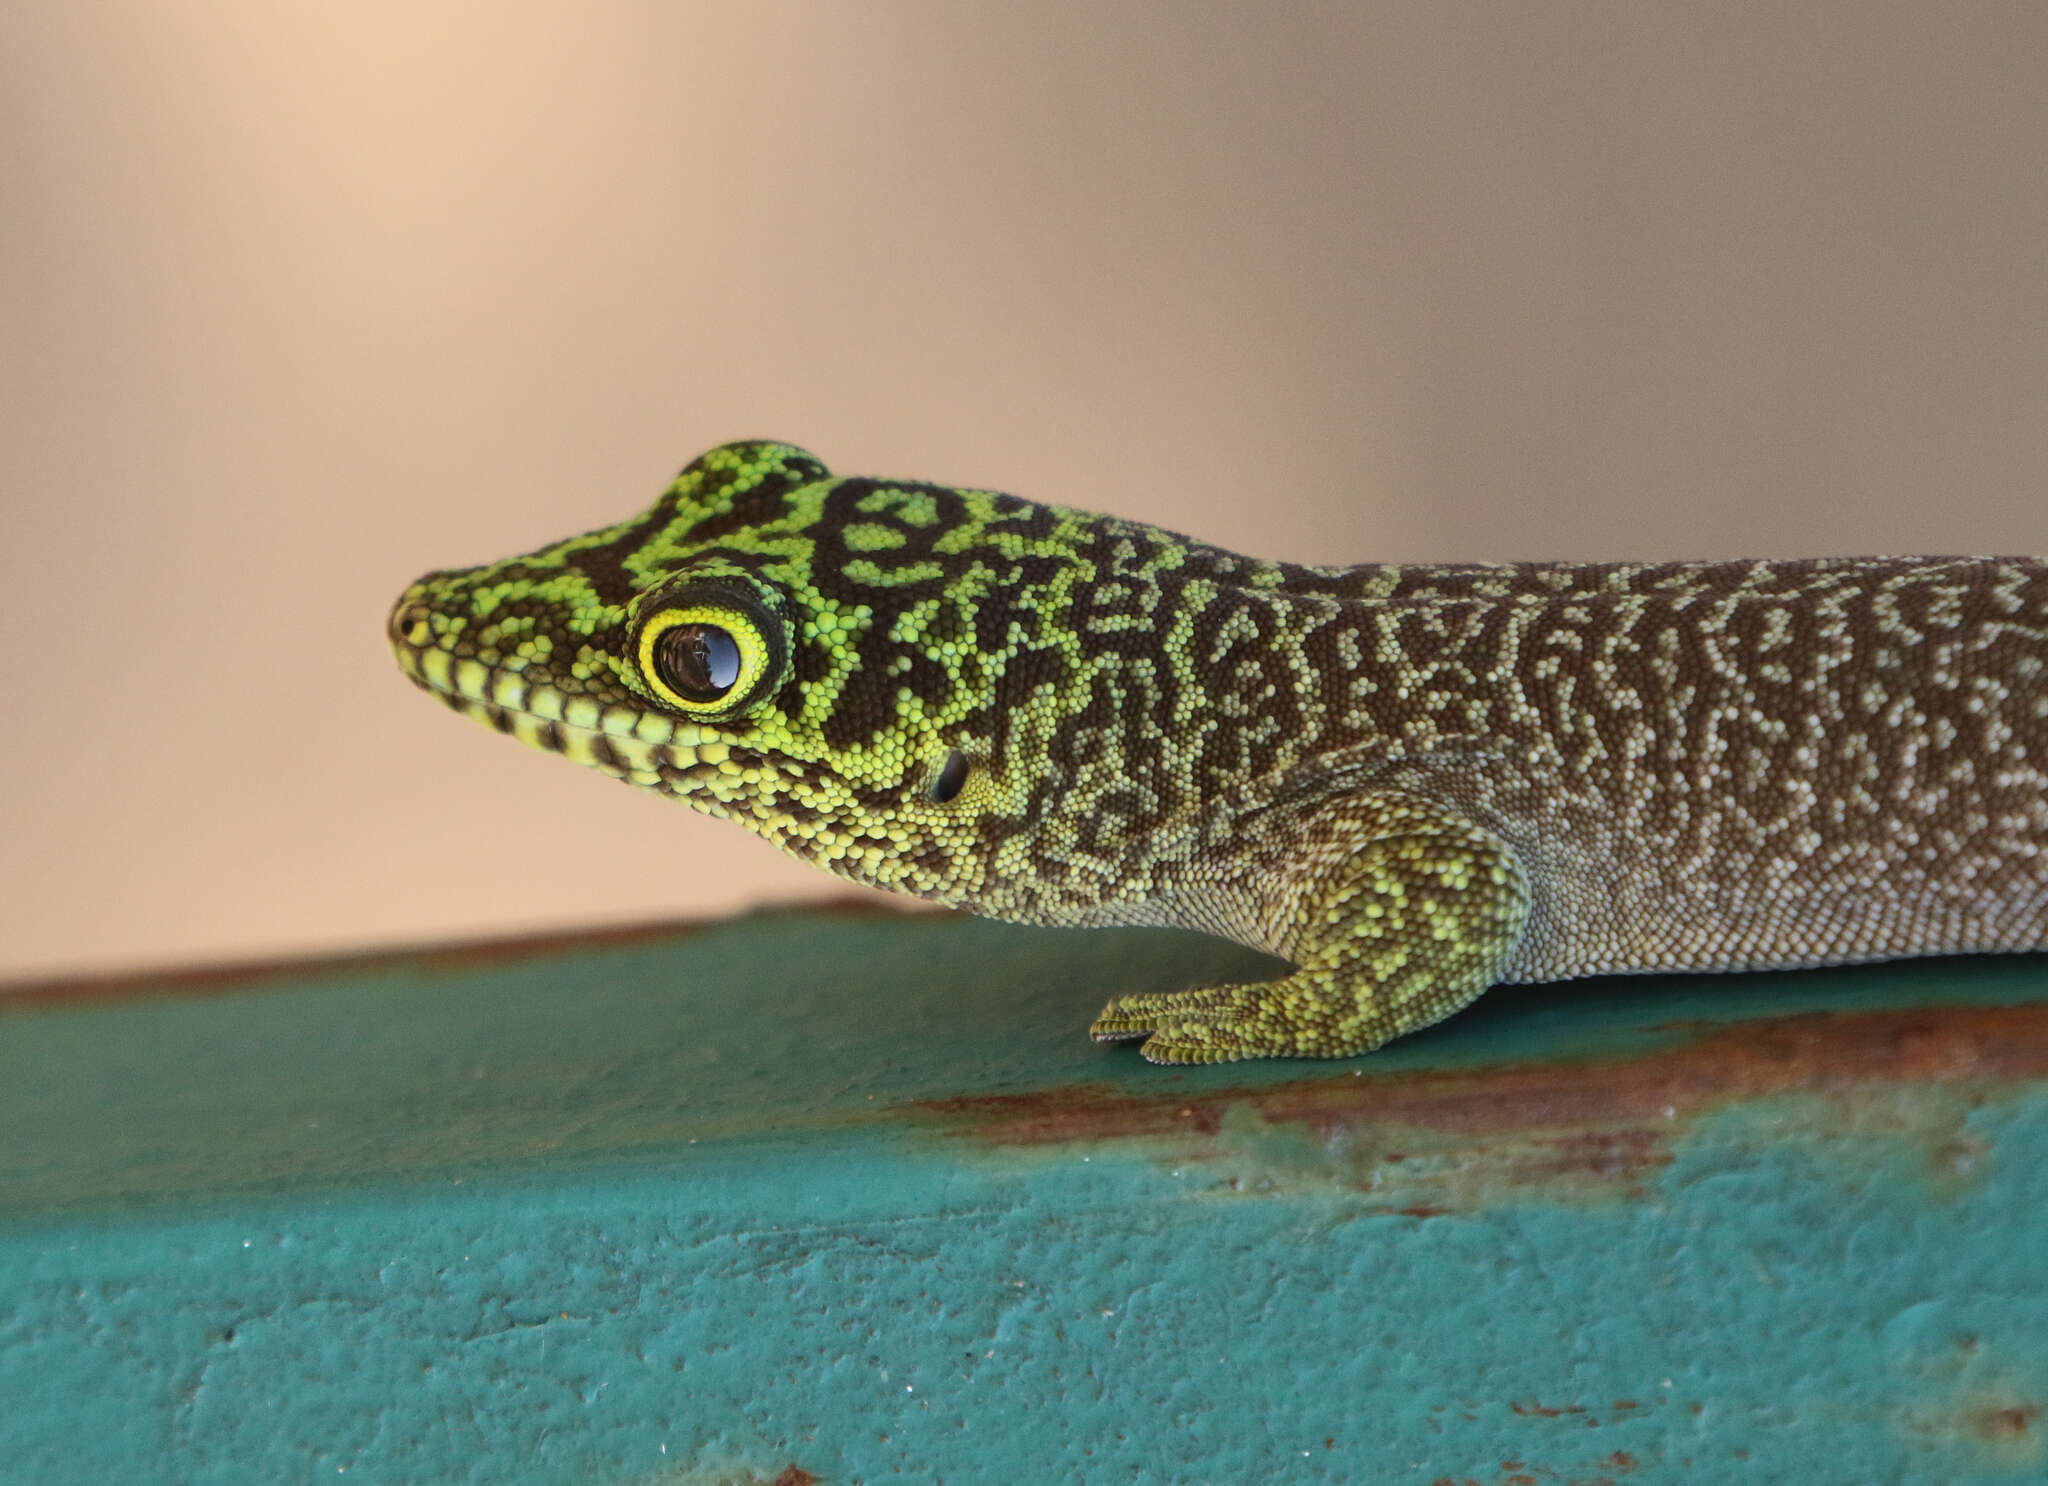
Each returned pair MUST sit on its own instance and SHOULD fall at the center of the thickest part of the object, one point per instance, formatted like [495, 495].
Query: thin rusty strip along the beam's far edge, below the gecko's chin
[431, 959]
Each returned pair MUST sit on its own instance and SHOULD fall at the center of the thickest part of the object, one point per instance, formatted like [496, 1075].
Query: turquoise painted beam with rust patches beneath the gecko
[591, 1215]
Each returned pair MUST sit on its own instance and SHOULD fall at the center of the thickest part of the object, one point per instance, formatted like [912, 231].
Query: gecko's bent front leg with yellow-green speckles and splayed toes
[1396, 912]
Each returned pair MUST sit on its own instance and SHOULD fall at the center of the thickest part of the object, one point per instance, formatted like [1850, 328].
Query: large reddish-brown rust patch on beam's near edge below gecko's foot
[1449, 1139]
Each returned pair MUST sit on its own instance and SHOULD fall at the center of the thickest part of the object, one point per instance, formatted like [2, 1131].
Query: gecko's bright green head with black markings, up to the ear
[871, 674]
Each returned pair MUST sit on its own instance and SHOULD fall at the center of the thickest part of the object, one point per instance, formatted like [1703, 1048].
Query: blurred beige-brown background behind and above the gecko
[300, 300]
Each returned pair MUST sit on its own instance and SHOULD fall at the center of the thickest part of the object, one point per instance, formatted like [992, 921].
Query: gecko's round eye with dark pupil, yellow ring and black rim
[712, 652]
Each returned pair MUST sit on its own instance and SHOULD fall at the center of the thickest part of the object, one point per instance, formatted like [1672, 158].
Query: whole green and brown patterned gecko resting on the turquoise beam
[1412, 783]
